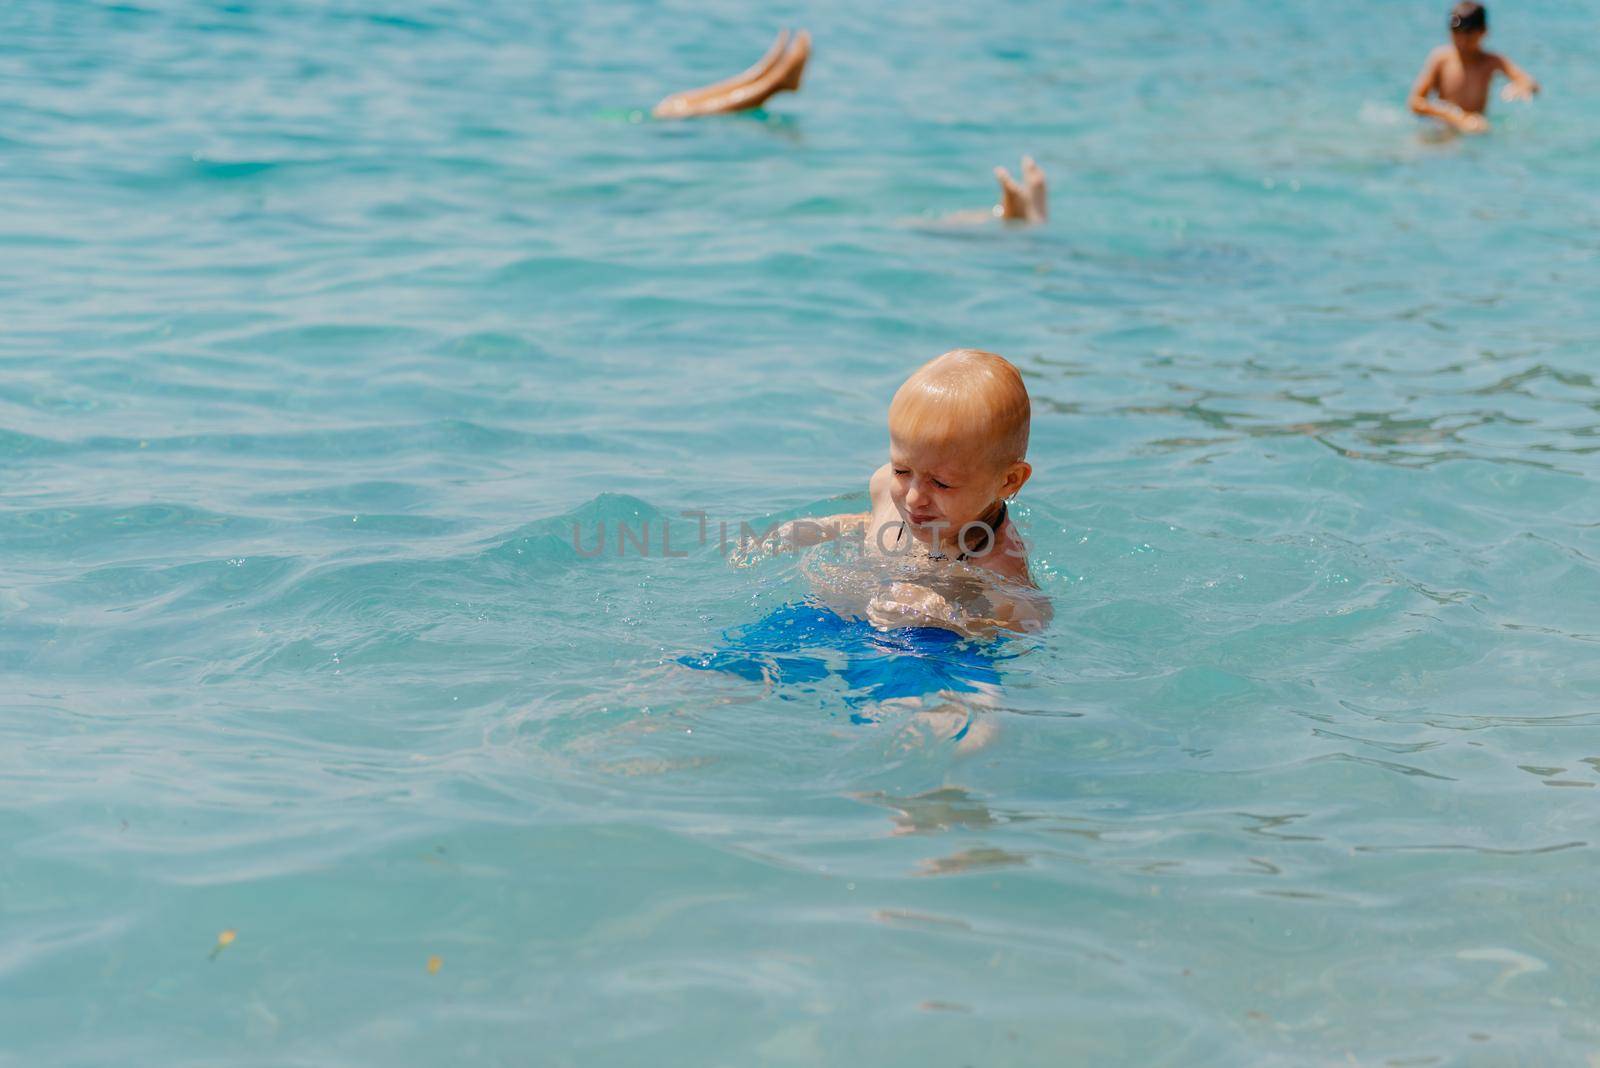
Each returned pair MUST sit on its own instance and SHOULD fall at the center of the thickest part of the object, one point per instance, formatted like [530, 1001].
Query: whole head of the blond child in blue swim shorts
[958, 440]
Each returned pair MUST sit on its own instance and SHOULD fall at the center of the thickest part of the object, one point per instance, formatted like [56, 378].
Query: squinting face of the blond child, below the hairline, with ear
[942, 488]
